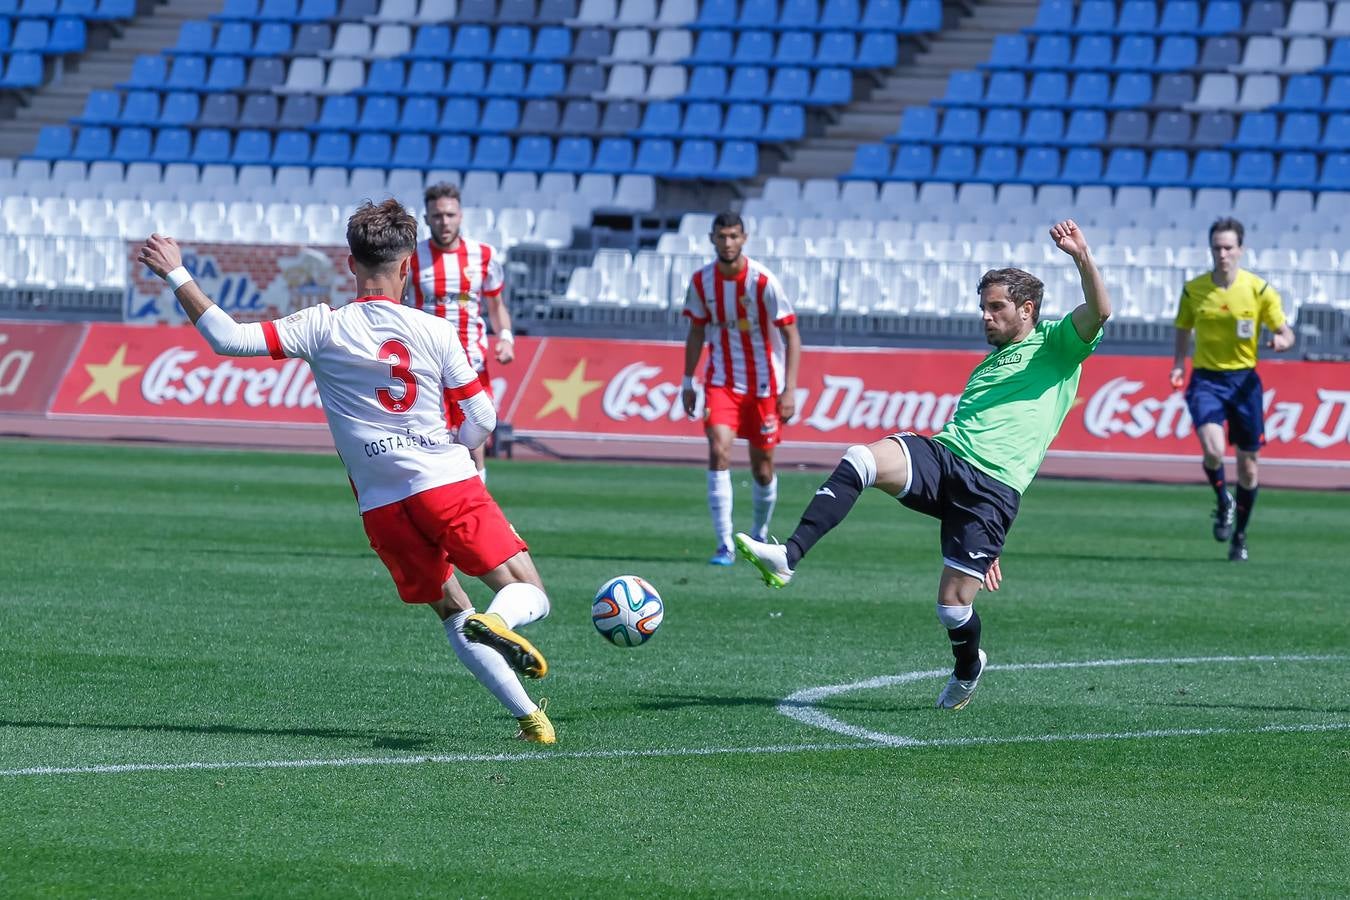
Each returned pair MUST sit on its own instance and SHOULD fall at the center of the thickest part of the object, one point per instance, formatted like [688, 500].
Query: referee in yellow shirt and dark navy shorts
[1226, 308]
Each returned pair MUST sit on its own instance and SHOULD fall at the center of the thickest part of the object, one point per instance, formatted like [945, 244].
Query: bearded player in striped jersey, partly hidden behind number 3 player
[457, 279]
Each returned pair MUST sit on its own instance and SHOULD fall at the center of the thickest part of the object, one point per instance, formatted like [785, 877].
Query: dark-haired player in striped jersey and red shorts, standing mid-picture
[739, 308]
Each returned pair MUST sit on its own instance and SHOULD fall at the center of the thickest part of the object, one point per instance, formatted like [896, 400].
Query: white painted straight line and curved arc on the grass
[797, 708]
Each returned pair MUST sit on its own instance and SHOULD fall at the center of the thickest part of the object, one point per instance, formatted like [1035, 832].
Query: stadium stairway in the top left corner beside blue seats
[63, 99]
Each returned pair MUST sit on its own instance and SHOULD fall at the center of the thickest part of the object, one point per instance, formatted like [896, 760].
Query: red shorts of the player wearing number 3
[422, 539]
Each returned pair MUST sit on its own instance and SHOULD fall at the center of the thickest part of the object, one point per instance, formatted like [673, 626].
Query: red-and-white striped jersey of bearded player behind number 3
[453, 284]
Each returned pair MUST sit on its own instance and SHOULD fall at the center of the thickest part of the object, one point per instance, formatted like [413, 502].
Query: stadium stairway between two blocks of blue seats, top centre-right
[915, 83]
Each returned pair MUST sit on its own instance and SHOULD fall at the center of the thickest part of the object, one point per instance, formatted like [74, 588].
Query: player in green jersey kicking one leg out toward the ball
[971, 474]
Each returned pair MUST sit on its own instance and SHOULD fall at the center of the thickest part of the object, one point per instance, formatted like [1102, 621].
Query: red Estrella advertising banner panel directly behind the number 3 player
[169, 373]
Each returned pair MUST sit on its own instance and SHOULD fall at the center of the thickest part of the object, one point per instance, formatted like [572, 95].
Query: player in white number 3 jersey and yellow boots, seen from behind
[384, 372]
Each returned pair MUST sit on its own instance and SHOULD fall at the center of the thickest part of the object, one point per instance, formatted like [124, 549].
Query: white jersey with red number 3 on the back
[383, 372]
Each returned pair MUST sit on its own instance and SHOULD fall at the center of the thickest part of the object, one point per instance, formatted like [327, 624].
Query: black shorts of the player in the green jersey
[977, 511]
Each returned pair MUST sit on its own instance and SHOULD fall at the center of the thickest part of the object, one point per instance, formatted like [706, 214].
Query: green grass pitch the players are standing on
[171, 607]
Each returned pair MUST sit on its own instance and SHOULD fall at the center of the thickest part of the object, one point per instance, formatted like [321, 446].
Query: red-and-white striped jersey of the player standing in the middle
[742, 315]
